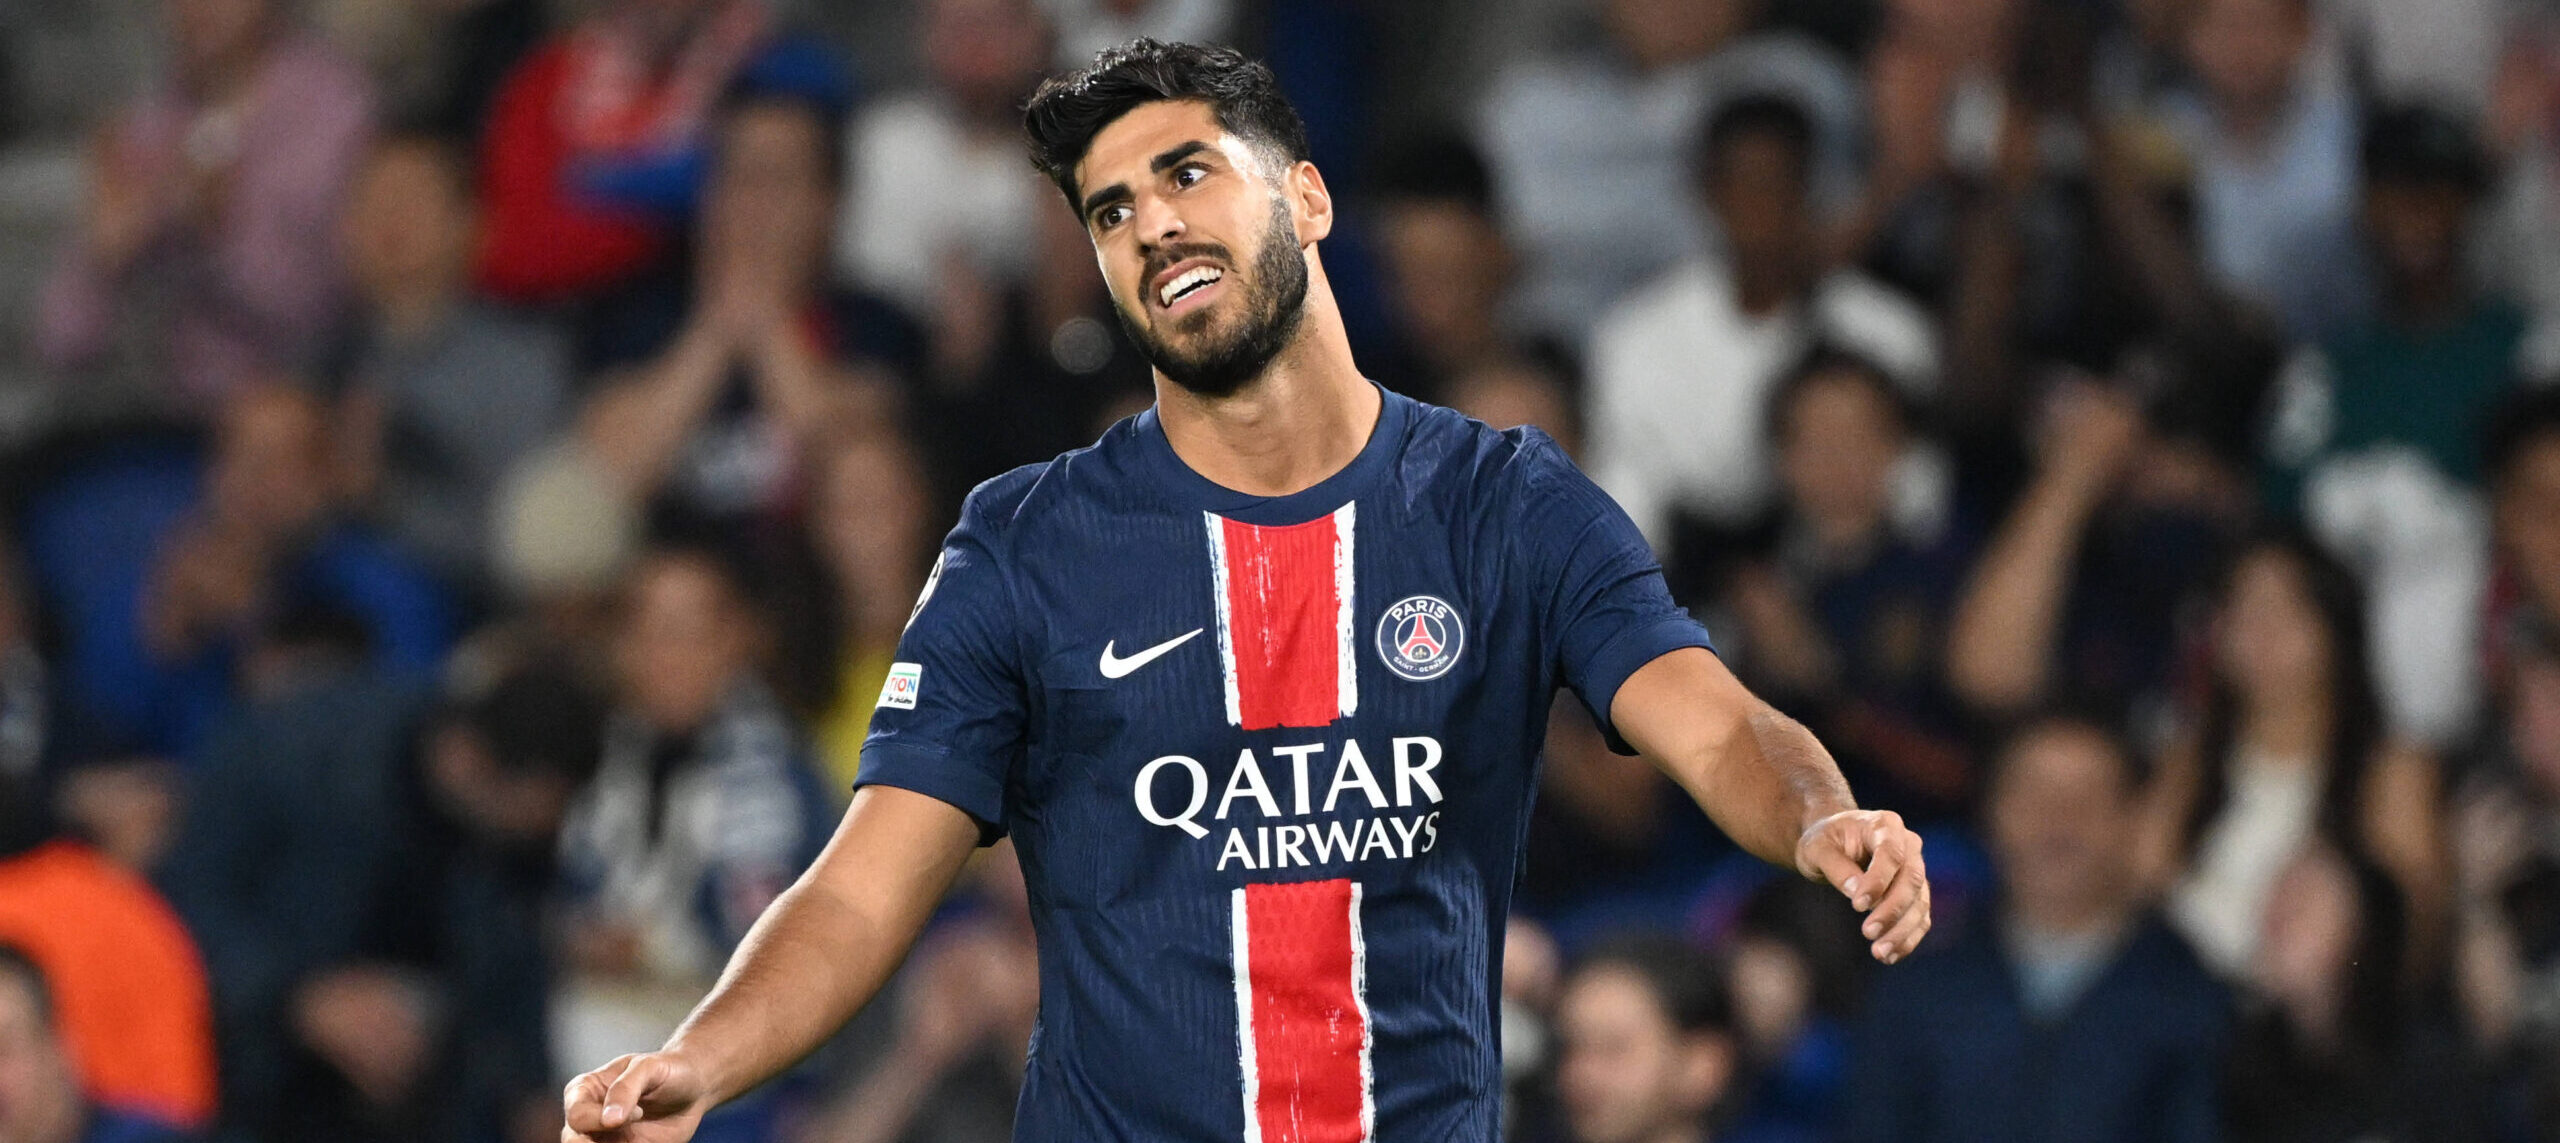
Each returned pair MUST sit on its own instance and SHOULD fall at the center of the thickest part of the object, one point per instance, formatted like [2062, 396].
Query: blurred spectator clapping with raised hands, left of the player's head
[754, 360]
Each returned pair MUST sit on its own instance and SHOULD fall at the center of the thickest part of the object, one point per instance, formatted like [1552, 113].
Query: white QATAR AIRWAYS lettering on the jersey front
[1268, 809]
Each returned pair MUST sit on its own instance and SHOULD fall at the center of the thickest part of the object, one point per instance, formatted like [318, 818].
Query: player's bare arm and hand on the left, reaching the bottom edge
[810, 962]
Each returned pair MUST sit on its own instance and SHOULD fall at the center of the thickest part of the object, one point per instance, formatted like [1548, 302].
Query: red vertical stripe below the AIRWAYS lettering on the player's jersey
[1309, 1029]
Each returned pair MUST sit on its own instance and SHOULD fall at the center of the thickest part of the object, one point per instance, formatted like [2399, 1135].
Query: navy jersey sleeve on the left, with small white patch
[951, 716]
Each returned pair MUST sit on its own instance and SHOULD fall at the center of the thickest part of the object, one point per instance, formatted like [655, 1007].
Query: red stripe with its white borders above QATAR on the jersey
[1286, 619]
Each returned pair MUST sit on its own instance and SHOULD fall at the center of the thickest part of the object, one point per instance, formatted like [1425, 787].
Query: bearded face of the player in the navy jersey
[1199, 240]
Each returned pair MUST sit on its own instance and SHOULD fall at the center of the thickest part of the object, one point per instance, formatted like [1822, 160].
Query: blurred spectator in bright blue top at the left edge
[175, 580]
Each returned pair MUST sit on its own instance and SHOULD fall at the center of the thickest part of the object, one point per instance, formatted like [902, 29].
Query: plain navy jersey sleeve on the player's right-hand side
[1599, 591]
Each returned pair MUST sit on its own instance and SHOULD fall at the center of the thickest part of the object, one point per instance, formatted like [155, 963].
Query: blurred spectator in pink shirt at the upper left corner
[206, 258]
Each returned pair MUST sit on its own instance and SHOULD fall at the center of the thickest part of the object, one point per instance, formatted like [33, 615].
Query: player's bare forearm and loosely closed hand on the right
[1775, 791]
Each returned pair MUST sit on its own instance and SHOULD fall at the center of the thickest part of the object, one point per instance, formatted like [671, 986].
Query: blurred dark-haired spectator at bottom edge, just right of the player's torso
[1645, 1044]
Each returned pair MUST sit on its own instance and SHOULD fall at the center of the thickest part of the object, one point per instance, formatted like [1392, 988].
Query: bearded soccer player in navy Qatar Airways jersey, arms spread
[1258, 688]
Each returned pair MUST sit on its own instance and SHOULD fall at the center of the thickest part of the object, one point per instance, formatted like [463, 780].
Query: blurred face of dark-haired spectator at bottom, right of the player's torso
[1627, 1073]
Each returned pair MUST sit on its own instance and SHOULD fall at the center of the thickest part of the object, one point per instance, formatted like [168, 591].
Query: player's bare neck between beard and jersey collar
[1294, 427]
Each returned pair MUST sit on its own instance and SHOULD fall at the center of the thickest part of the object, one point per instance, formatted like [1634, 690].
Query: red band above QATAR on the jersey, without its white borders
[1284, 614]
